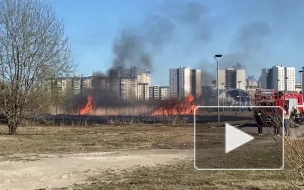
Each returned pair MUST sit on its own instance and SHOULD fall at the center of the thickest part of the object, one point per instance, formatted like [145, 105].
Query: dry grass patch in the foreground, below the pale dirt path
[183, 176]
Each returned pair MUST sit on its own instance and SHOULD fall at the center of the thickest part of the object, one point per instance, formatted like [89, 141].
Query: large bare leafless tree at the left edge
[33, 49]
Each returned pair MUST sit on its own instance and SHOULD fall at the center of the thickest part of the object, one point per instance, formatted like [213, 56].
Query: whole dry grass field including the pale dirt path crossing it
[117, 157]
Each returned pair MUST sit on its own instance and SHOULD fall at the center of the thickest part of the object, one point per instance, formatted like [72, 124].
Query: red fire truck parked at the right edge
[267, 97]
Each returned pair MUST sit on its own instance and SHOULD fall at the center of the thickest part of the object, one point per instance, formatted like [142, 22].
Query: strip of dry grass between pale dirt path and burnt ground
[66, 139]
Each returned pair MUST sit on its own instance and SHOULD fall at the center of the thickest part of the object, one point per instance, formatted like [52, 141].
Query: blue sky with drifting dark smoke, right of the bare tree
[161, 34]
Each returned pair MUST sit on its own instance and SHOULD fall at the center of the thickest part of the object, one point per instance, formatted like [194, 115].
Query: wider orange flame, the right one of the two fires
[185, 107]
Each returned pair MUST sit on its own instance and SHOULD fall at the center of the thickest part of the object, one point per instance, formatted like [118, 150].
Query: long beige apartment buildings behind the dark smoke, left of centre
[127, 84]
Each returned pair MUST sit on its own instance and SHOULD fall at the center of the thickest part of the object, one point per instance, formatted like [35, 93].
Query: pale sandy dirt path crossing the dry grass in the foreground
[55, 171]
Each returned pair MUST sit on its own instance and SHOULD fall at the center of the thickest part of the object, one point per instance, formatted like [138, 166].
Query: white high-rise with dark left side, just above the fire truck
[279, 78]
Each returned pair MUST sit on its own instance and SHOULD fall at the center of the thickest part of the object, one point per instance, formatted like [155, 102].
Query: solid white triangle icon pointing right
[235, 138]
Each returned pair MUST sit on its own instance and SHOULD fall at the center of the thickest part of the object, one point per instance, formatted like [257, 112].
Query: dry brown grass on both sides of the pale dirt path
[180, 175]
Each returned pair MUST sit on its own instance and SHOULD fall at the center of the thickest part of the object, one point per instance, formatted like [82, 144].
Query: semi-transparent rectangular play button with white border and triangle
[231, 147]
